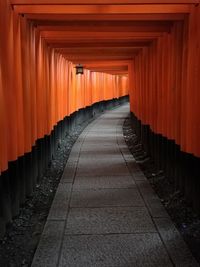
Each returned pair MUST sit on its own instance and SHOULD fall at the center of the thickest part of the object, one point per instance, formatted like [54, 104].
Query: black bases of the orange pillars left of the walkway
[22, 176]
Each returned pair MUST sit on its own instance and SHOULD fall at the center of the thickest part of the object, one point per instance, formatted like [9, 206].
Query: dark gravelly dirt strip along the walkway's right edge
[186, 221]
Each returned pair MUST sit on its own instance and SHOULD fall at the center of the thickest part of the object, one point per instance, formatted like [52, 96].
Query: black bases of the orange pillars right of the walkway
[182, 169]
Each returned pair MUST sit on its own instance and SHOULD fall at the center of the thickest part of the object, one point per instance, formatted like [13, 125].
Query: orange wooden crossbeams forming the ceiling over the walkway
[103, 35]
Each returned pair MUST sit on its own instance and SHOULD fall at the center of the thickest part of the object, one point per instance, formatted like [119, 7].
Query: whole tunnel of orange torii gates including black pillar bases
[149, 49]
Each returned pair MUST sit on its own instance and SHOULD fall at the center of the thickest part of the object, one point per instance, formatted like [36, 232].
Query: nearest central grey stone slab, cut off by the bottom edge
[140, 250]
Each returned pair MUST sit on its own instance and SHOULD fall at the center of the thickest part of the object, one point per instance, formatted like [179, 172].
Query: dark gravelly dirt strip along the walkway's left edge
[18, 246]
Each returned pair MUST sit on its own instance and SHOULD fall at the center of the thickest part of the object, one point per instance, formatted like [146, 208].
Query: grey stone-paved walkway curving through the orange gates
[105, 212]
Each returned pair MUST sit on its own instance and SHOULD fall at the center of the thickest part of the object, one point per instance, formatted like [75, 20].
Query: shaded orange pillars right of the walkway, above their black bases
[168, 99]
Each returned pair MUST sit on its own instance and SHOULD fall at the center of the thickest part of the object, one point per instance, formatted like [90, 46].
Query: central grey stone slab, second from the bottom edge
[109, 220]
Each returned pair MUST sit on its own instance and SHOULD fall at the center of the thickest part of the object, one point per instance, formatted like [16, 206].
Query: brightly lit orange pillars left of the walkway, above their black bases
[39, 87]
